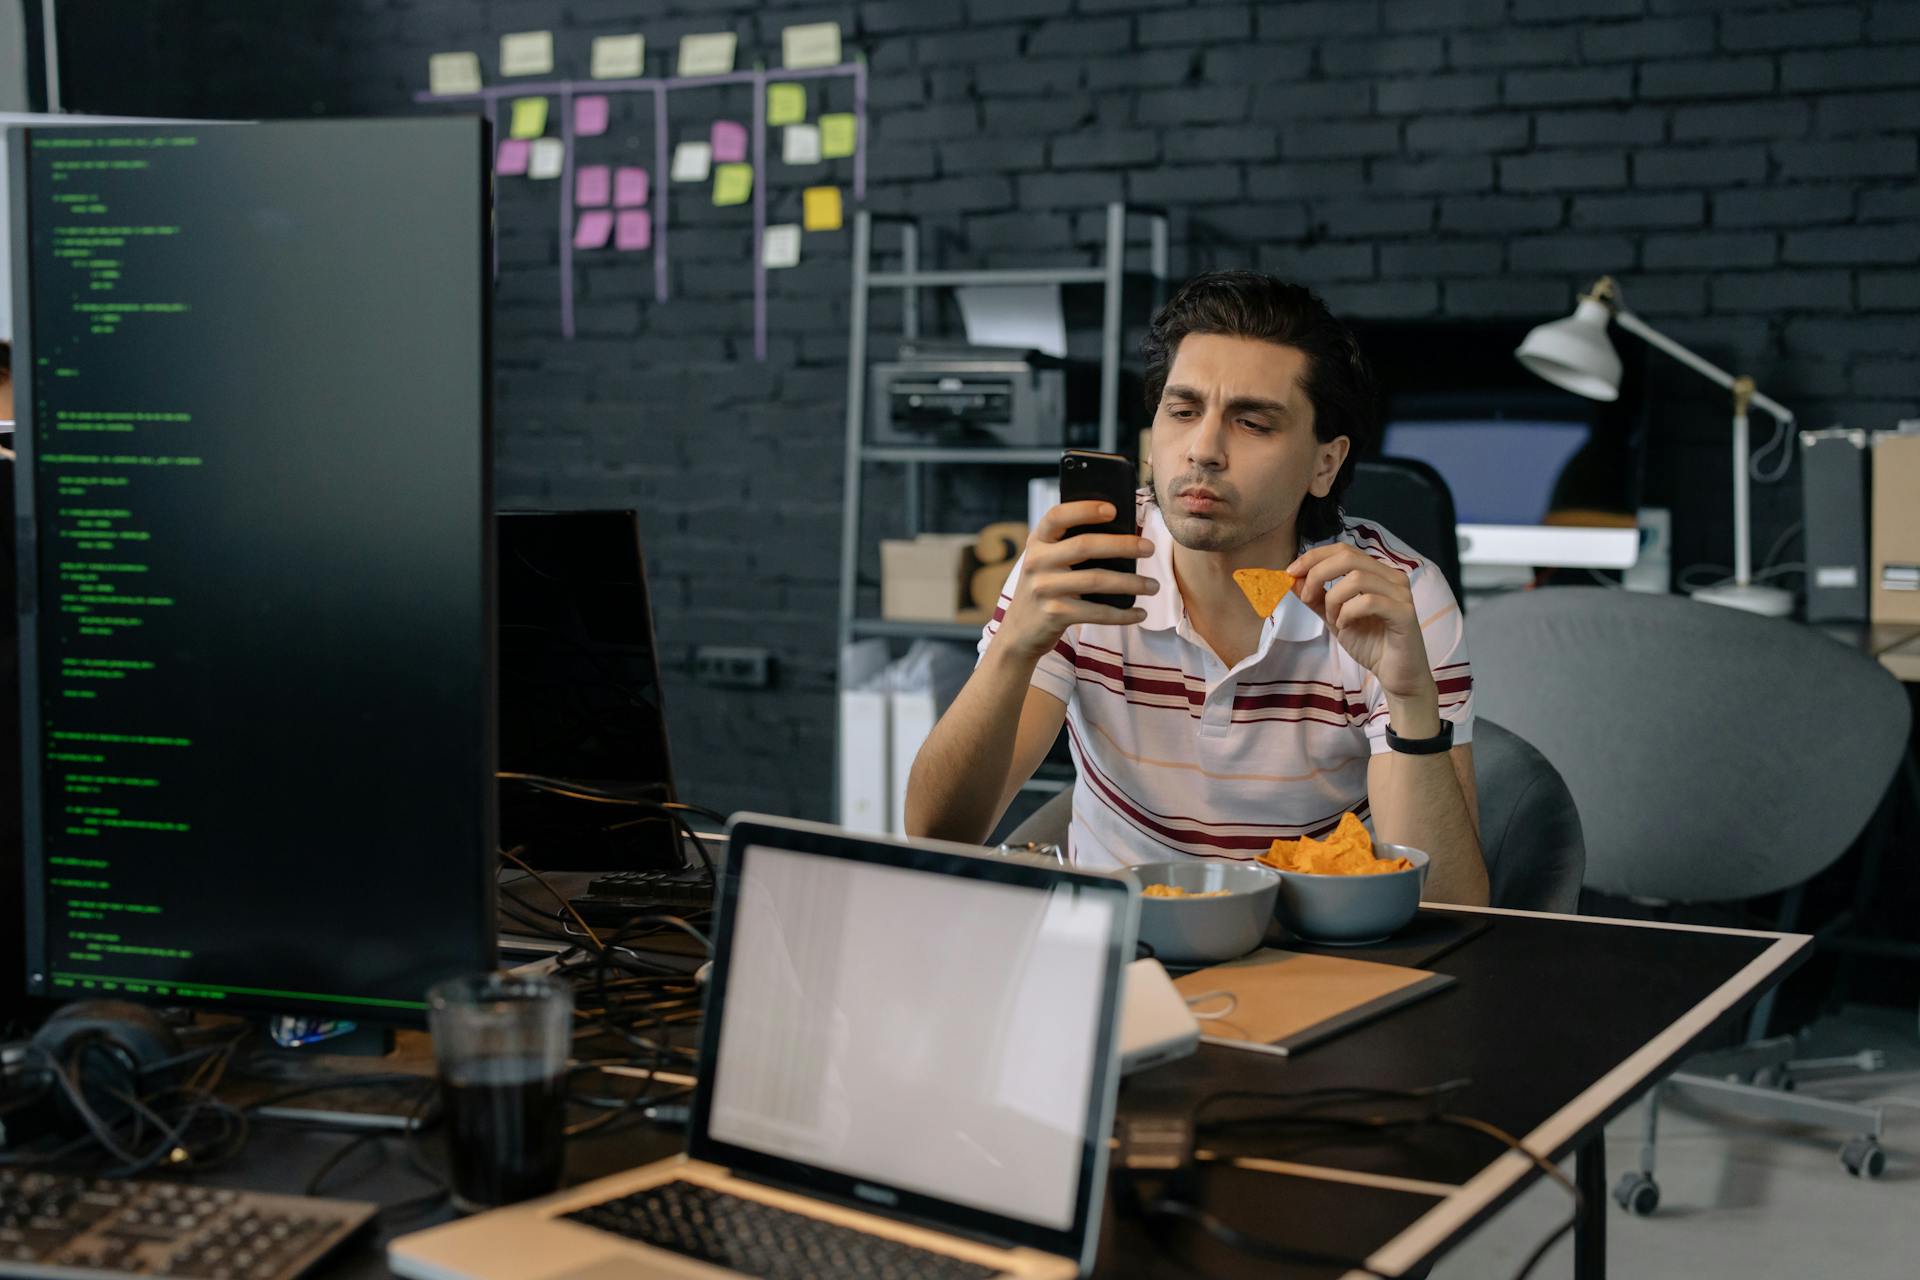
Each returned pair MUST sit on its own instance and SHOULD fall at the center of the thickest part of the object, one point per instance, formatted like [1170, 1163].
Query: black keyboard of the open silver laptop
[763, 1241]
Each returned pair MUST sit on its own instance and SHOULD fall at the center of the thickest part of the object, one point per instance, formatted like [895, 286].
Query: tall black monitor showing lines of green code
[256, 563]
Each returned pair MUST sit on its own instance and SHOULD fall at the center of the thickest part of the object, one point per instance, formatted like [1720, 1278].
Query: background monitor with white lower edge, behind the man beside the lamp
[1539, 477]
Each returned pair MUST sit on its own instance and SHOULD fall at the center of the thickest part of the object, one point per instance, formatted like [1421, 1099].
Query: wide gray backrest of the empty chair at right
[1714, 755]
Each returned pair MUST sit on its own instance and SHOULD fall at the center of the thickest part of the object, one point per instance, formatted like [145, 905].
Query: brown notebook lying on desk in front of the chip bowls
[1284, 1003]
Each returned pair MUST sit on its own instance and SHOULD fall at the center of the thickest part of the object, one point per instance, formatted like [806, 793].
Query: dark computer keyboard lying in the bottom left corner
[64, 1227]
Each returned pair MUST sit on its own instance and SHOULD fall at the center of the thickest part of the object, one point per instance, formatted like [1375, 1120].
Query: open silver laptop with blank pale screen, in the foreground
[909, 1068]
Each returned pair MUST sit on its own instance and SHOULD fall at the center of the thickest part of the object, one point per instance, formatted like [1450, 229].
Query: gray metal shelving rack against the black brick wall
[911, 279]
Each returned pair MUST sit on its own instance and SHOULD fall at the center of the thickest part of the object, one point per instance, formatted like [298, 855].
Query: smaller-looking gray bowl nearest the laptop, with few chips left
[1224, 914]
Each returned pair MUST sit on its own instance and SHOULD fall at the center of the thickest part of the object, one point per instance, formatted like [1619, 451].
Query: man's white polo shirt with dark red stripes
[1184, 757]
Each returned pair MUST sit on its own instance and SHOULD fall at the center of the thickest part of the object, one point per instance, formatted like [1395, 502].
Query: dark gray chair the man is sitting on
[1529, 824]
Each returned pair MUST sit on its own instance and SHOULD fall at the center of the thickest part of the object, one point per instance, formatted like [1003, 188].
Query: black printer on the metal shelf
[957, 394]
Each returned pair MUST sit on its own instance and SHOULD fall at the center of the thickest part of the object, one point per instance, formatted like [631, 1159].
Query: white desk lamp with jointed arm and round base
[1577, 354]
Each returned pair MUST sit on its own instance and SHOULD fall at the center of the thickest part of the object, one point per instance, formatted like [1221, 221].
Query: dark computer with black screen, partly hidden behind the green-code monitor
[581, 696]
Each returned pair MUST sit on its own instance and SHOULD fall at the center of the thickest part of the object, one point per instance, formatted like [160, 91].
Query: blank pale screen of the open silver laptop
[919, 1031]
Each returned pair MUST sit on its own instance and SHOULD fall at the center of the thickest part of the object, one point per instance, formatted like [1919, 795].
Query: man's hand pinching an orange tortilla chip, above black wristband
[1370, 609]
